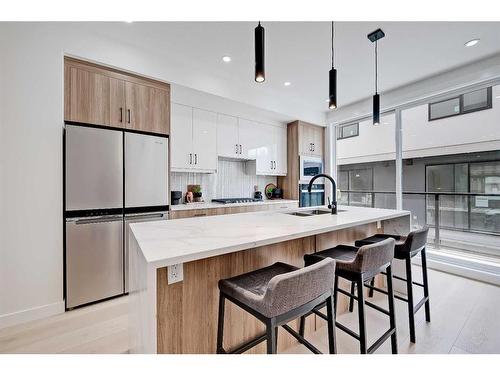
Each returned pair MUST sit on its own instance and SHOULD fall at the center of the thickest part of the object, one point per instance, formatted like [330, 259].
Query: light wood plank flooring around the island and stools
[464, 316]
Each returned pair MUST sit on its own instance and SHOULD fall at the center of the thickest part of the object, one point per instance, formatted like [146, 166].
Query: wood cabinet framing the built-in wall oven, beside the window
[303, 139]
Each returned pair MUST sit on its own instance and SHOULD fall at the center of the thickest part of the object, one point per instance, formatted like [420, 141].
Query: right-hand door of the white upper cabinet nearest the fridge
[204, 140]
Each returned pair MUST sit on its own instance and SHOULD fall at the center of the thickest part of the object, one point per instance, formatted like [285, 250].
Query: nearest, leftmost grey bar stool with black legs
[276, 295]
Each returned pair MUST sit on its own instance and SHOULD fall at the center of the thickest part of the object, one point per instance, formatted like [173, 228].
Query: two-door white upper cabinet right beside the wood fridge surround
[193, 139]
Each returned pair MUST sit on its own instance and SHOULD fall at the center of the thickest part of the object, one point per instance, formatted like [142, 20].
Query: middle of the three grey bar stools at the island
[359, 265]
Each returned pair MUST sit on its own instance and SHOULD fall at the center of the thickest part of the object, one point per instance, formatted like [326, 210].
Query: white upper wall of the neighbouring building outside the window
[472, 132]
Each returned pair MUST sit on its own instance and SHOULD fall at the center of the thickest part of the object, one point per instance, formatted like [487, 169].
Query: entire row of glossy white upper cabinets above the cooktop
[199, 137]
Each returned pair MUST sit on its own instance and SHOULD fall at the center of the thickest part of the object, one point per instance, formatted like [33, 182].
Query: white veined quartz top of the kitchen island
[168, 242]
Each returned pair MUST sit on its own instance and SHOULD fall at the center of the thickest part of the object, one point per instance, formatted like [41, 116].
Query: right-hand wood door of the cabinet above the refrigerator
[148, 108]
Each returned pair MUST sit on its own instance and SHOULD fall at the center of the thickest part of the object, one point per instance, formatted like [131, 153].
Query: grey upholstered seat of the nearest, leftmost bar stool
[250, 288]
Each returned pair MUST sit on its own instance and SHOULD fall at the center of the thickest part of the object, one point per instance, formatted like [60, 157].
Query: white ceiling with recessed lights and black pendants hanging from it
[299, 52]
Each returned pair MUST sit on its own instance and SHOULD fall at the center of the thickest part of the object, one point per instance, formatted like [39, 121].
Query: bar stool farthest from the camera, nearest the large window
[406, 248]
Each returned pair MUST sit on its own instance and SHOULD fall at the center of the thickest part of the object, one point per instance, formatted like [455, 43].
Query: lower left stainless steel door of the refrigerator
[94, 259]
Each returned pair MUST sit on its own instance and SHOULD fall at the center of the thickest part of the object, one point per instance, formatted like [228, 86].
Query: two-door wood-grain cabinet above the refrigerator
[107, 97]
